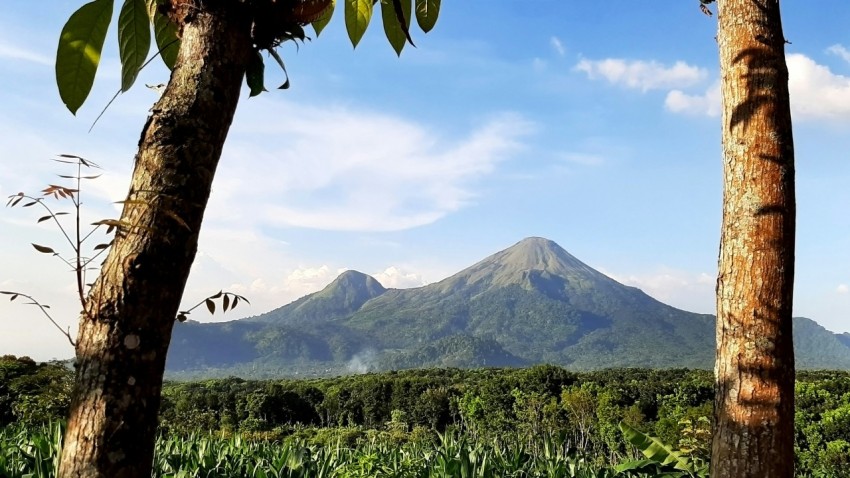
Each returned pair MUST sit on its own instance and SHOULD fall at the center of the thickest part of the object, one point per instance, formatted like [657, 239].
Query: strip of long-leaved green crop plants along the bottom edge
[448, 455]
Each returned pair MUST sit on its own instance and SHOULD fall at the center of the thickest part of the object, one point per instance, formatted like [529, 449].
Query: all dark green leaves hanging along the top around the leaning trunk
[274, 22]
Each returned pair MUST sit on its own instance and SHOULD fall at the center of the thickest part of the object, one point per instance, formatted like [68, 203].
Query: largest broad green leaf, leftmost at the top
[78, 54]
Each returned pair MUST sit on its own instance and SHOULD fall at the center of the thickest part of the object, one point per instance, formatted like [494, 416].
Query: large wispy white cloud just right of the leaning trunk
[338, 169]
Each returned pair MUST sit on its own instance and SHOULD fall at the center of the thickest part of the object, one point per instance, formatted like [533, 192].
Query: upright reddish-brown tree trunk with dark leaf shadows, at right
[754, 405]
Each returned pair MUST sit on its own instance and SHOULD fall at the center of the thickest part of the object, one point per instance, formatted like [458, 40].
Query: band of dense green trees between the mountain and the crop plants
[512, 408]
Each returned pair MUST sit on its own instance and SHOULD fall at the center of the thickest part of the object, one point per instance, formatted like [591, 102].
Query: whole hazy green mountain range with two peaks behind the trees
[530, 303]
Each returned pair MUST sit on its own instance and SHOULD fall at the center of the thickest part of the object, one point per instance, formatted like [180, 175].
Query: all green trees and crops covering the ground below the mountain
[538, 421]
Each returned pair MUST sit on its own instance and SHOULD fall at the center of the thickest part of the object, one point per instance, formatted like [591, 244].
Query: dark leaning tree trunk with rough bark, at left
[126, 327]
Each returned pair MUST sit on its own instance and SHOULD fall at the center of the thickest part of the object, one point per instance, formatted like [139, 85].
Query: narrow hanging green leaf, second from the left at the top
[134, 40]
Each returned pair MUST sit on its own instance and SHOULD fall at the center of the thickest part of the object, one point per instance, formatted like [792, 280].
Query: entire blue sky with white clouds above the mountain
[592, 124]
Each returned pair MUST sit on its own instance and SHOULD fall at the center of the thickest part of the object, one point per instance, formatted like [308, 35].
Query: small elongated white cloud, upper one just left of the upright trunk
[642, 75]
